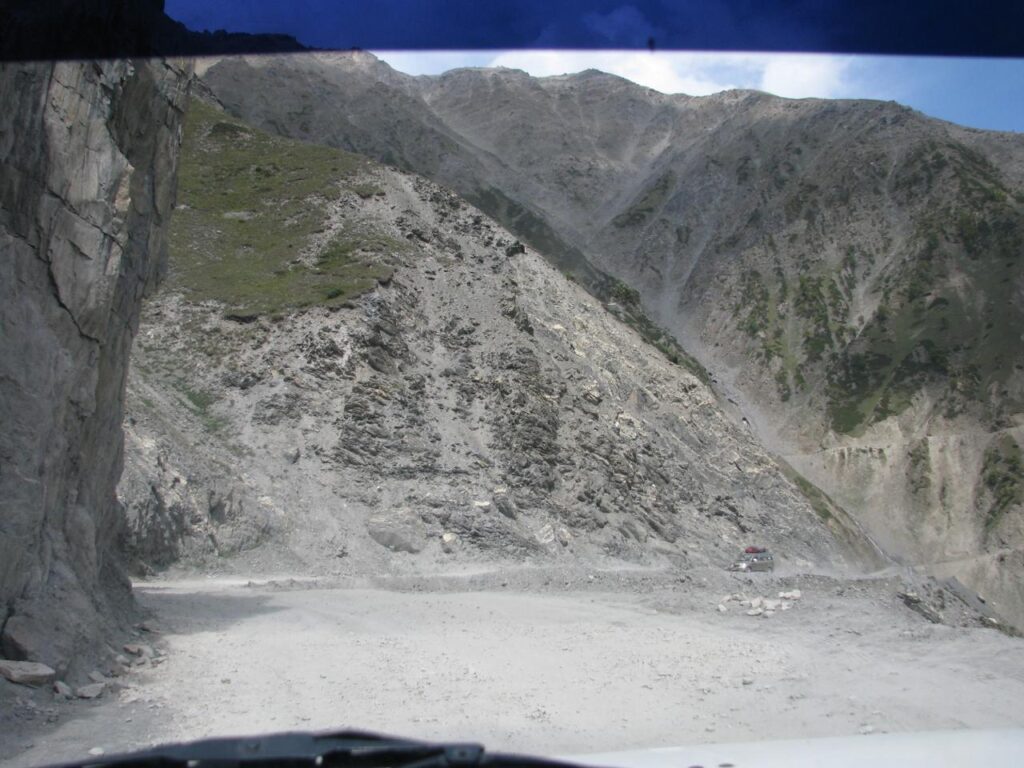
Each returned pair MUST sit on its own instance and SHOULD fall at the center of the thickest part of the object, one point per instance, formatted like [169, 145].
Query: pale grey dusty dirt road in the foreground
[541, 667]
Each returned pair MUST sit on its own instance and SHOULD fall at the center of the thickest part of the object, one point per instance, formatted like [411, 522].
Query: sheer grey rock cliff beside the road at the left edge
[88, 181]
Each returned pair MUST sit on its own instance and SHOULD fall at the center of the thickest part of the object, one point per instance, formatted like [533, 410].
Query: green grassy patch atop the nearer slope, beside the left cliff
[250, 204]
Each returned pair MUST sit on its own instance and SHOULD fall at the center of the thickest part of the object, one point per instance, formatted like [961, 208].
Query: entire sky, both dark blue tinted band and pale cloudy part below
[978, 93]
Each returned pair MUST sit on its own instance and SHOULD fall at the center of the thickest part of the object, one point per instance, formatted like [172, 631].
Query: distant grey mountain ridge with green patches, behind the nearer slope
[850, 272]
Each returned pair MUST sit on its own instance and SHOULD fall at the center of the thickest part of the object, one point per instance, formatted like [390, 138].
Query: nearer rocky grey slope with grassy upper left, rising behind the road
[465, 402]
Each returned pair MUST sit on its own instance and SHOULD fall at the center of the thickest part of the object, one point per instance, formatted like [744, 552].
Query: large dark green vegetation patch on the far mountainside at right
[949, 316]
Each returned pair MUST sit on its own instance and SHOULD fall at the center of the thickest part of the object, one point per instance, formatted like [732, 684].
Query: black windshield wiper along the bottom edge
[345, 749]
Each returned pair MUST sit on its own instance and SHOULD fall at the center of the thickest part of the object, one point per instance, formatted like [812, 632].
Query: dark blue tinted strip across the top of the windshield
[950, 27]
